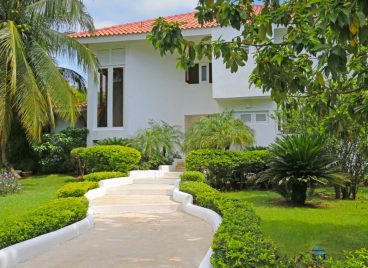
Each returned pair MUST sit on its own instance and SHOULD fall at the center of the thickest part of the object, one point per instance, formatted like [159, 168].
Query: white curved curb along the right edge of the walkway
[205, 214]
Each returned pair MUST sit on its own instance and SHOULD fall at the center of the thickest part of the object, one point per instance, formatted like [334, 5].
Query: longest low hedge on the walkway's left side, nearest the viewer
[52, 216]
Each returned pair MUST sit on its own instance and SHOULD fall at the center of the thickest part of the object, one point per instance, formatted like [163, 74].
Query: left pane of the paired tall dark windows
[102, 99]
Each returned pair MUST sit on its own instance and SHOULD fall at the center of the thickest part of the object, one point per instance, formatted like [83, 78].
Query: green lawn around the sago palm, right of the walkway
[337, 225]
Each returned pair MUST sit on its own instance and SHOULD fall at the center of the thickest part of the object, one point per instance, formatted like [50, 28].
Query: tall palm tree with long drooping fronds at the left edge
[32, 88]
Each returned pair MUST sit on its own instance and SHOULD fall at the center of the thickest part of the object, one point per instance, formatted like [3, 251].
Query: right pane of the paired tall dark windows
[118, 97]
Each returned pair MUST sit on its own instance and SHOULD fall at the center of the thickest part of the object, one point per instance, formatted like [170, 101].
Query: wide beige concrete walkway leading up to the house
[135, 226]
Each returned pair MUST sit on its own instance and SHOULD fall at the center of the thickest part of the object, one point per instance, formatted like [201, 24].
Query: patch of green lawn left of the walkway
[35, 191]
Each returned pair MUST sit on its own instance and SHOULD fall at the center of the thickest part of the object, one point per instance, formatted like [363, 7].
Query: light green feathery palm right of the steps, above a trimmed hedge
[218, 131]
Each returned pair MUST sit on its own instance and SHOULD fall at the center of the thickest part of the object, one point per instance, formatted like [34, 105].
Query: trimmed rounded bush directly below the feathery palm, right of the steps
[224, 167]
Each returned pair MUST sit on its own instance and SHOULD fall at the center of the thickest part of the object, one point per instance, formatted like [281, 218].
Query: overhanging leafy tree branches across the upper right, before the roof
[320, 50]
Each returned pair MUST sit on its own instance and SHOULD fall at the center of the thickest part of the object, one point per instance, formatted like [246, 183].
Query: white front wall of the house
[155, 89]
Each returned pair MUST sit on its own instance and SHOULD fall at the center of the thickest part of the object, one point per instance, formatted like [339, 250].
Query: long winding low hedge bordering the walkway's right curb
[239, 241]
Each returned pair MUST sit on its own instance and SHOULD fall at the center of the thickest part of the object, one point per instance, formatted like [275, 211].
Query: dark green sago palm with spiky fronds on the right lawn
[299, 161]
